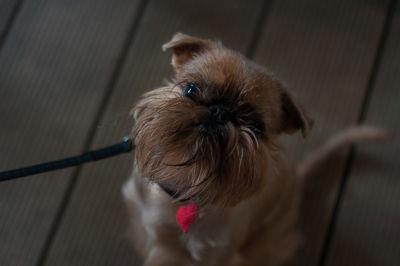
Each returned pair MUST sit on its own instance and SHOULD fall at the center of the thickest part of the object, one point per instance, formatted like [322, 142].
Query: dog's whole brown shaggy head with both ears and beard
[209, 134]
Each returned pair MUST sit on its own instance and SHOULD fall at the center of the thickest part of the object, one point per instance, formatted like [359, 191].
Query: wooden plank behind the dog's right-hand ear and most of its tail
[324, 50]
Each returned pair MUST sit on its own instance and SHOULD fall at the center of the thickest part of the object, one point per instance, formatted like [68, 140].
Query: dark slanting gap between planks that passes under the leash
[137, 18]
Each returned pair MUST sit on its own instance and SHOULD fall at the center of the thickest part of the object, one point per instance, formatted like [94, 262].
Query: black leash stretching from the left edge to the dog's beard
[124, 146]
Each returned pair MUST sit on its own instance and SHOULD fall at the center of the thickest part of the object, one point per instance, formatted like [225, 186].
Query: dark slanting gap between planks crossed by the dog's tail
[361, 118]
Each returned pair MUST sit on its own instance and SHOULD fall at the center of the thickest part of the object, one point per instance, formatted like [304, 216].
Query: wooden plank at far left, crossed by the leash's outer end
[54, 70]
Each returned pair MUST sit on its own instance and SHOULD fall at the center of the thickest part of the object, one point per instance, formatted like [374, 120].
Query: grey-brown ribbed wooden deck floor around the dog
[71, 70]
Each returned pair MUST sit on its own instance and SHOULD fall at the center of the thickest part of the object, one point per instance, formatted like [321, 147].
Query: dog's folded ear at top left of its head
[185, 47]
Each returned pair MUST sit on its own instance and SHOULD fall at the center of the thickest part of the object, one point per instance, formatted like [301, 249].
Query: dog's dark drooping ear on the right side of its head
[294, 117]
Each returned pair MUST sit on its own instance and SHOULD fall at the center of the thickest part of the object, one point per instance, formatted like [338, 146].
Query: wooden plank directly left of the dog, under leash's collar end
[93, 231]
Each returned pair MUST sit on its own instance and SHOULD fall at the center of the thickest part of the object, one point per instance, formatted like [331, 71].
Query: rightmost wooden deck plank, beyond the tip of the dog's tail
[367, 231]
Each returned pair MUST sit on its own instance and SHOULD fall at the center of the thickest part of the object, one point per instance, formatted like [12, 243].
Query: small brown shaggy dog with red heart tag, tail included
[211, 184]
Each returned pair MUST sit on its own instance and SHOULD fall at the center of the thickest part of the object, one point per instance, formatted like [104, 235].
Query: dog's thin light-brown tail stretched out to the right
[339, 141]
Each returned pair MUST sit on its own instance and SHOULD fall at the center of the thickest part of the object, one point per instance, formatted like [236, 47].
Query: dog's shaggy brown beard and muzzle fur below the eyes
[177, 148]
